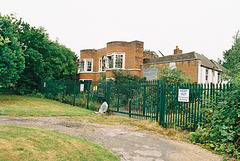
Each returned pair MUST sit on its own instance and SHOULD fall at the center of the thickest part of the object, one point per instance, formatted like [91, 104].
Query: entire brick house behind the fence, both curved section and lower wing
[131, 57]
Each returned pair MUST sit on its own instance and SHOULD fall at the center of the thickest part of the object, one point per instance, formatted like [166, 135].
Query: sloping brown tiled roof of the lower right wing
[205, 62]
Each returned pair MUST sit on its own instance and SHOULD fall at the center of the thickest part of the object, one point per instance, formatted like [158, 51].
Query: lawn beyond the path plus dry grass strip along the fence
[14, 105]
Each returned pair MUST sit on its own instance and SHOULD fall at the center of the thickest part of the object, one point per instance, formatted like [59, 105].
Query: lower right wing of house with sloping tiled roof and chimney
[198, 67]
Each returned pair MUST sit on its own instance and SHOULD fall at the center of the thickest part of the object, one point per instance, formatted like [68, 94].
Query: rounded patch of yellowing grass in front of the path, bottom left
[22, 143]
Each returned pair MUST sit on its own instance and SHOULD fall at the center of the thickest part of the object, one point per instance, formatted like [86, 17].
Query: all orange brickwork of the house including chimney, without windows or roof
[134, 55]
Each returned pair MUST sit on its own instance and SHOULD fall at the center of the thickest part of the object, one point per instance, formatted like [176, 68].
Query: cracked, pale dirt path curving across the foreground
[131, 145]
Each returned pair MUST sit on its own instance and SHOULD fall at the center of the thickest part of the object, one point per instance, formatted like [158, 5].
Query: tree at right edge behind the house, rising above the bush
[231, 57]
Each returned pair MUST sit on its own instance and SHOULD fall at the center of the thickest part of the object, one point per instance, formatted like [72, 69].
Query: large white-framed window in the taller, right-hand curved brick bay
[115, 61]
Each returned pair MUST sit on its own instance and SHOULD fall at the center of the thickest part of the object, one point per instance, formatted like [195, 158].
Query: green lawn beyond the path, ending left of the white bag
[14, 105]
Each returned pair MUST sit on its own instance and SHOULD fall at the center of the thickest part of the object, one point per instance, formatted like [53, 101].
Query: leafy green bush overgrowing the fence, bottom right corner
[221, 127]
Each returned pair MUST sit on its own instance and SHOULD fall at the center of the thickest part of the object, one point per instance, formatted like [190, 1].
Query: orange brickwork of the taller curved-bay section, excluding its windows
[133, 58]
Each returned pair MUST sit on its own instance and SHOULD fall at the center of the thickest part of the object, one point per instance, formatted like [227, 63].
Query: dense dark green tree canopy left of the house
[41, 58]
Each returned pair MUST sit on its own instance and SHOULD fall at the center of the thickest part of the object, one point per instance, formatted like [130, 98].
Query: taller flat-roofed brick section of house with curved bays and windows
[127, 56]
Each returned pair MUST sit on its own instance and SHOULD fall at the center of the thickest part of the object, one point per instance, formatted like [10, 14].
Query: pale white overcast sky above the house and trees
[203, 26]
